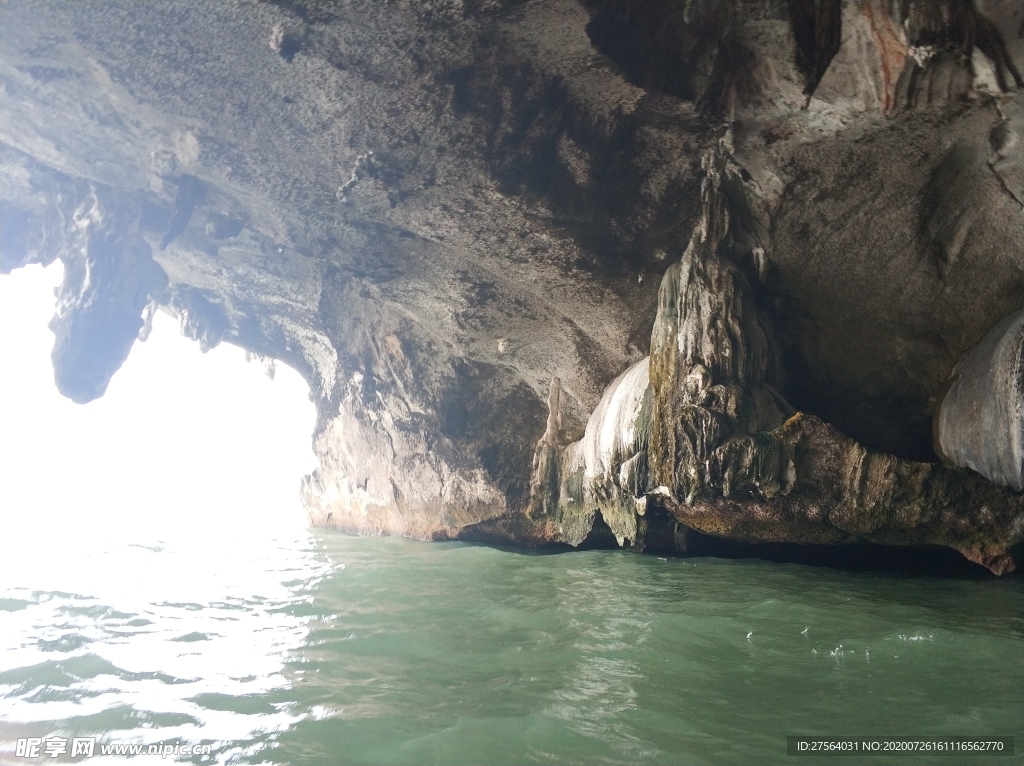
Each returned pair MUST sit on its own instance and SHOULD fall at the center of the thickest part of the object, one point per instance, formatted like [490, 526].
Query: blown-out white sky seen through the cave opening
[182, 444]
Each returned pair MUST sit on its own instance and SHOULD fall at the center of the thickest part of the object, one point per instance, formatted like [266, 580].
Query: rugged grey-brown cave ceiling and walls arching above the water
[433, 210]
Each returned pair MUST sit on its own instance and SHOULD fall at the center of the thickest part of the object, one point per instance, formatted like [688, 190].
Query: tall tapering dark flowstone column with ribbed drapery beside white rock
[710, 369]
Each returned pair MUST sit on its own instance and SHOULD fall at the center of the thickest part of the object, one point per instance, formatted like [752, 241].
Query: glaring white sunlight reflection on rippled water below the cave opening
[155, 641]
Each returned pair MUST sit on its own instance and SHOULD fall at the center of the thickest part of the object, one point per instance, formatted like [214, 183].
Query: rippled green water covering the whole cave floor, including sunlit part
[317, 649]
